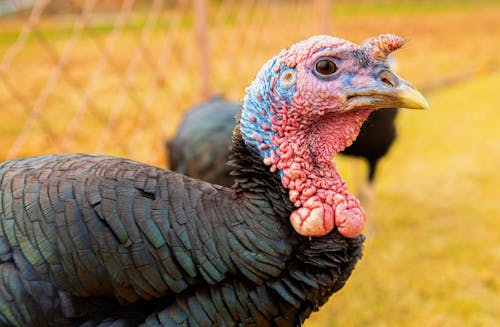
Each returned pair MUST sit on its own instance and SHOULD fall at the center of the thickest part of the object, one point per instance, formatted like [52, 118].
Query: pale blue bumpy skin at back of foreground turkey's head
[257, 114]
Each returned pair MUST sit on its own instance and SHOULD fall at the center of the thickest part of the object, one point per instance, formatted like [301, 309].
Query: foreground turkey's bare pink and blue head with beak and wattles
[312, 107]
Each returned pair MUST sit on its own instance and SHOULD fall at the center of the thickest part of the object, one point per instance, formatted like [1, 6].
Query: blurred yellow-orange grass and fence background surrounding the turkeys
[115, 77]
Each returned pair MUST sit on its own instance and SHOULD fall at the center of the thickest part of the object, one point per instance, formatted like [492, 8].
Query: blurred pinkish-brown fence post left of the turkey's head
[201, 17]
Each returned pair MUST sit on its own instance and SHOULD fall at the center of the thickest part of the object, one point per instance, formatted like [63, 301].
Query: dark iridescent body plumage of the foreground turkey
[101, 248]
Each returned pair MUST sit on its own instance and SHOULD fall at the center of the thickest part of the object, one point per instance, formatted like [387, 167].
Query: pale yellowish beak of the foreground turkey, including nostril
[390, 91]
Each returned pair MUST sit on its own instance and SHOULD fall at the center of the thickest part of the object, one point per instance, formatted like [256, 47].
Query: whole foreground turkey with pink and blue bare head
[94, 240]
